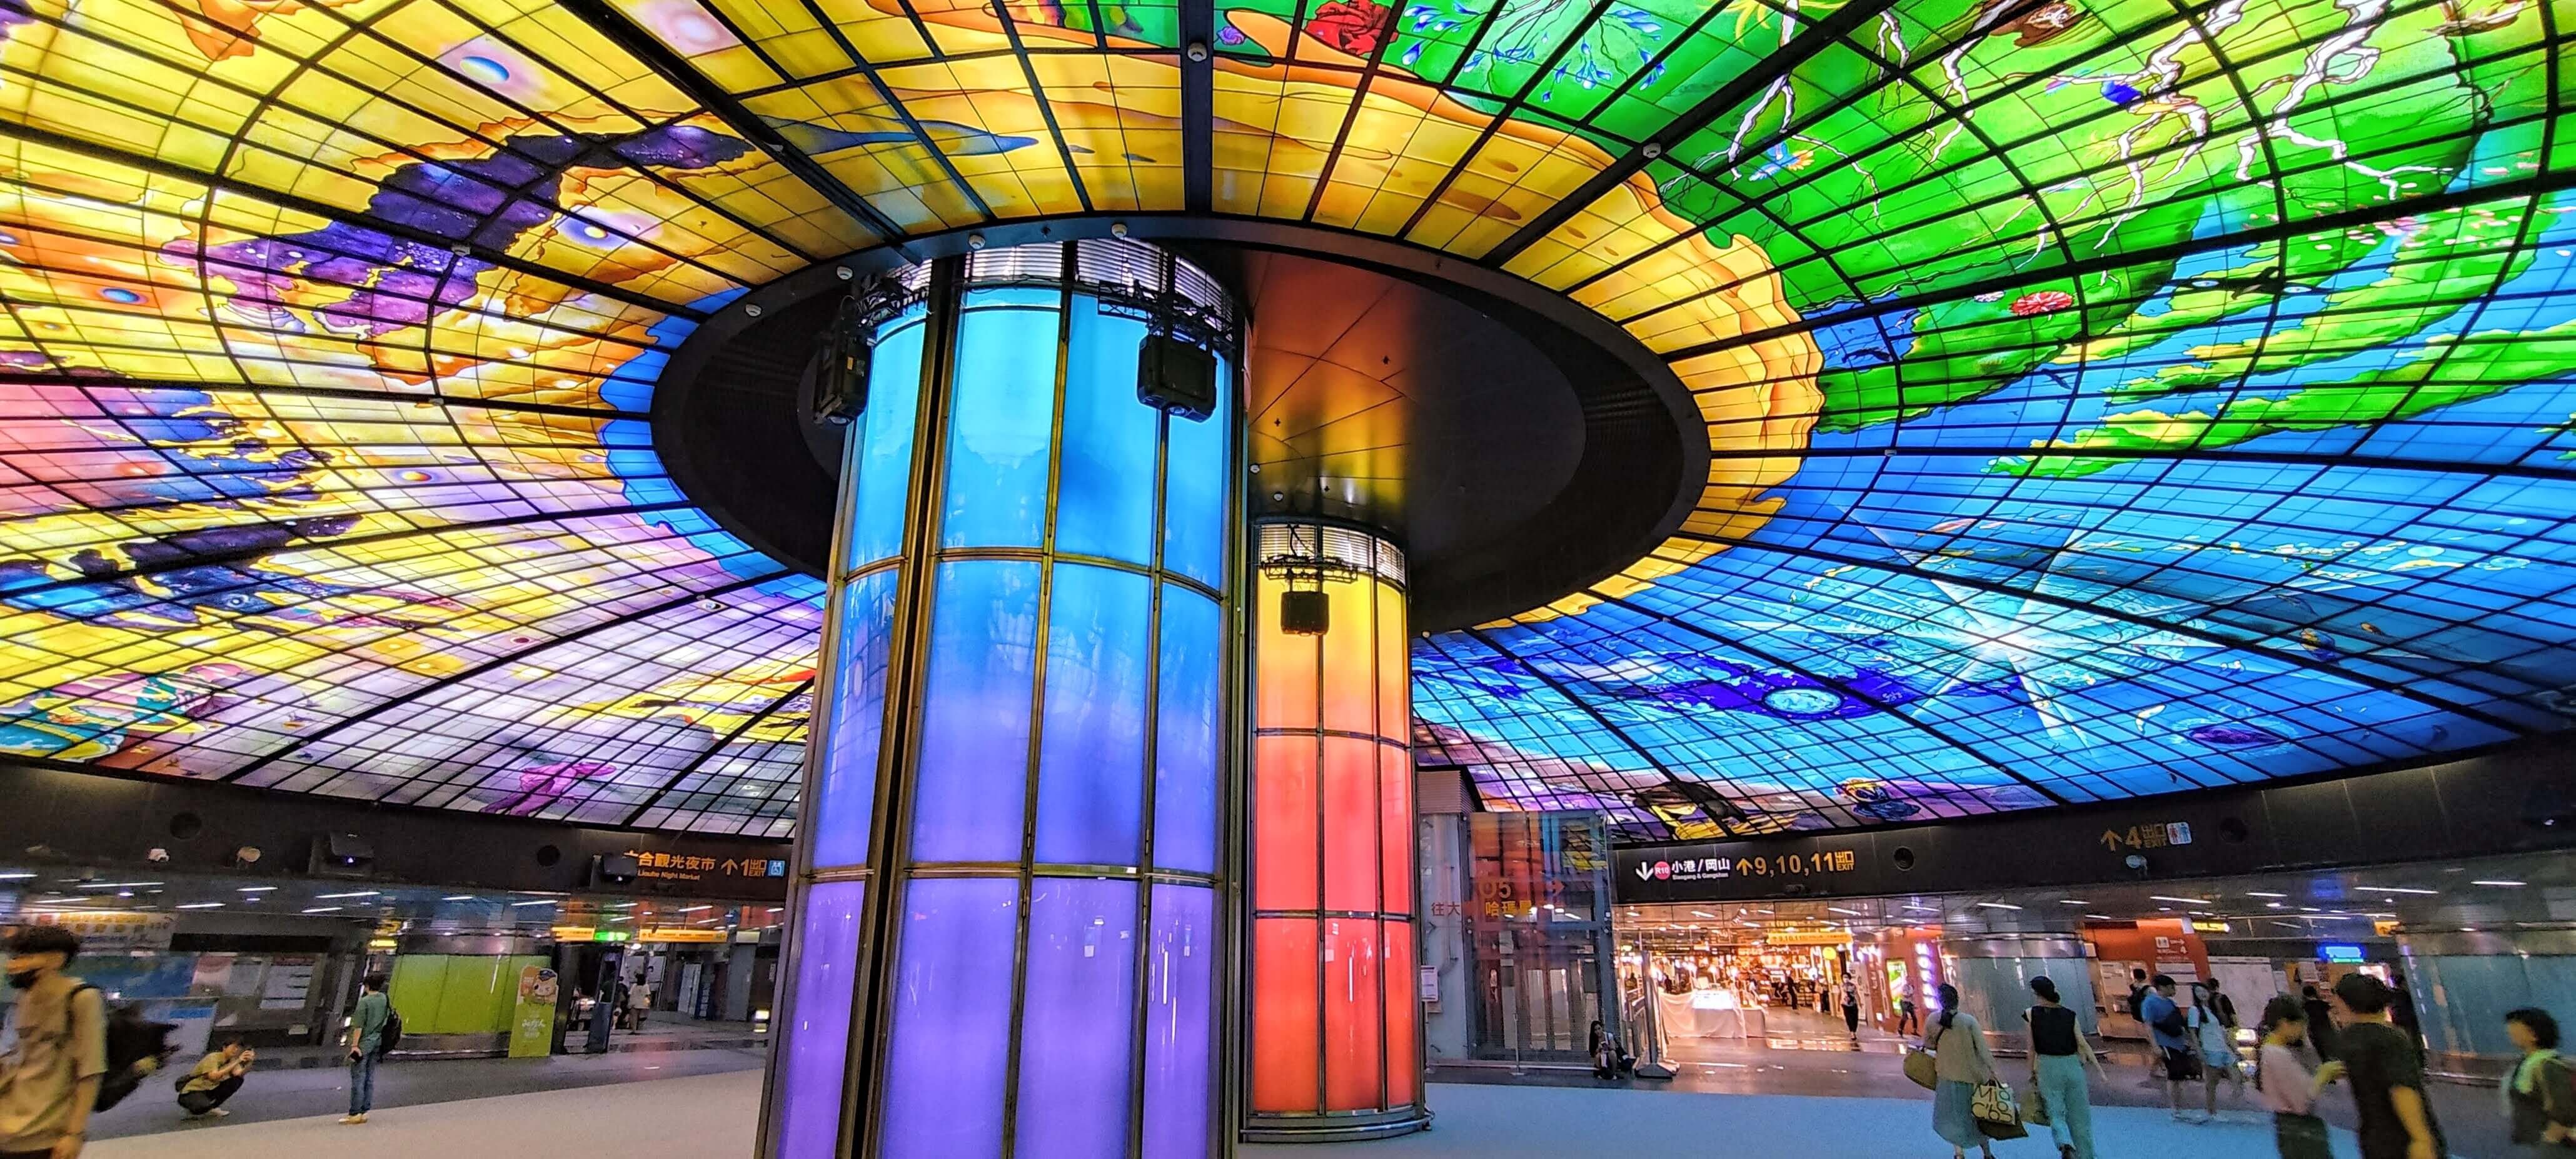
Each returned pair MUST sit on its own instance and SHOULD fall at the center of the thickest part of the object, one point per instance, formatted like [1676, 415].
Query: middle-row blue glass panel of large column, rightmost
[1186, 715]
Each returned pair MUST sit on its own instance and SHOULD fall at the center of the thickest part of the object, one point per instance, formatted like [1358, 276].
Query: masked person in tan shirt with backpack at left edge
[50, 1078]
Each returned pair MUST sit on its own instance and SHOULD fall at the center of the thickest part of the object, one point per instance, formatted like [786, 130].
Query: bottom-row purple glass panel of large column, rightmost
[1176, 1024]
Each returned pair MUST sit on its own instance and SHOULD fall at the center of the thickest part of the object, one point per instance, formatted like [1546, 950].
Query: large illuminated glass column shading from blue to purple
[1006, 923]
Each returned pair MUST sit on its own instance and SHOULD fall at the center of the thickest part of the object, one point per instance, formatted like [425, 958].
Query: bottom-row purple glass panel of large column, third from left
[1078, 1024]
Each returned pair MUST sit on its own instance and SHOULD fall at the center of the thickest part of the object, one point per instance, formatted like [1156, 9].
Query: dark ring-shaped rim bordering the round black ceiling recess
[1379, 254]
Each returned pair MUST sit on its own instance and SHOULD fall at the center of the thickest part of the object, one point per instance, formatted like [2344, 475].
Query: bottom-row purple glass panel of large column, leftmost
[815, 1050]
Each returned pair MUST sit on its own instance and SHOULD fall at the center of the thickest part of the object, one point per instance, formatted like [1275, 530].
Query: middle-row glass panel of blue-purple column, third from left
[1091, 748]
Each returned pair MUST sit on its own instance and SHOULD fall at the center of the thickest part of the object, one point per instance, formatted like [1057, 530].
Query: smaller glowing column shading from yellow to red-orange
[1331, 985]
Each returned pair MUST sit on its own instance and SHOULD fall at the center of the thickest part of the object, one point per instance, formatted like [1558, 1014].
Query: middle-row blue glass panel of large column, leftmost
[846, 782]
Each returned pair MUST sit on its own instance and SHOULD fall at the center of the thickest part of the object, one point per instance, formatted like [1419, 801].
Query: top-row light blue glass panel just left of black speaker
[1106, 485]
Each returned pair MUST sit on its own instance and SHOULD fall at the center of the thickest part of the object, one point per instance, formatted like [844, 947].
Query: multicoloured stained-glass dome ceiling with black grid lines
[2108, 398]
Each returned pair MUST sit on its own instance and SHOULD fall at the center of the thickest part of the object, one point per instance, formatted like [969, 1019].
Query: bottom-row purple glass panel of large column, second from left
[949, 1055]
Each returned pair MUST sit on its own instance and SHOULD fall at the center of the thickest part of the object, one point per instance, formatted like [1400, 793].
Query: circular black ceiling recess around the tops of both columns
[1511, 442]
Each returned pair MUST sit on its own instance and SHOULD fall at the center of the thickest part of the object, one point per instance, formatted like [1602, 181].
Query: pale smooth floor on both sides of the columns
[712, 1119]
